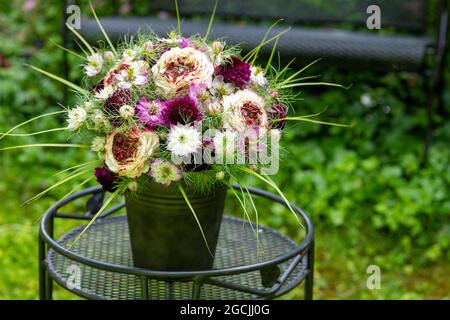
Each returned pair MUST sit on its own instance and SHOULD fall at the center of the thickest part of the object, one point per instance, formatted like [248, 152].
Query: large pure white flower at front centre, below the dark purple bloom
[183, 140]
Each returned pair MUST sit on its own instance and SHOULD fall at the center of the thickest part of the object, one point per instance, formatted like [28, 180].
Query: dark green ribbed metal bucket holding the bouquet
[163, 231]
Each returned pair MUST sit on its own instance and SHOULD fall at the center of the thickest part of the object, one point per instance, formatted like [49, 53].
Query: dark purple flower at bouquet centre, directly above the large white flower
[182, 110]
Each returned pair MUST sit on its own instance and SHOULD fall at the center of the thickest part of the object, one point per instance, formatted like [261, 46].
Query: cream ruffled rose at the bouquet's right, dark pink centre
[244, 109]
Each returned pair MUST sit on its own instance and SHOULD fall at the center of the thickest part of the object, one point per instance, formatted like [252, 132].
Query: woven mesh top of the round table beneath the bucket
[107, 240]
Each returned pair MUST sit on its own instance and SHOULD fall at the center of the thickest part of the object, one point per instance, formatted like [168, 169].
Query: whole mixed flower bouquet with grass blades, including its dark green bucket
[174, 121]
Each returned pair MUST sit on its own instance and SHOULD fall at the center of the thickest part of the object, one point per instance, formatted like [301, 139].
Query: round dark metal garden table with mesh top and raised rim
[99, 265]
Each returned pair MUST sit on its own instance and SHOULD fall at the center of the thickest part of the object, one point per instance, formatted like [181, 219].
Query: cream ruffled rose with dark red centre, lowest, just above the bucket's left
[129, 155]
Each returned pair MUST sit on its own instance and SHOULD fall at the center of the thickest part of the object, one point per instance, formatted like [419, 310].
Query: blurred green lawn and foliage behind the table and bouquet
[364, 187]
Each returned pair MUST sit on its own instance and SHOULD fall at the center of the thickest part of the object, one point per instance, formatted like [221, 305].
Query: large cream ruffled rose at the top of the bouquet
[179, 68]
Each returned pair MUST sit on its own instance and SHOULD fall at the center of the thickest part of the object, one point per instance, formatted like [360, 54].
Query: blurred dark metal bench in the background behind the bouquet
[406, 47]
